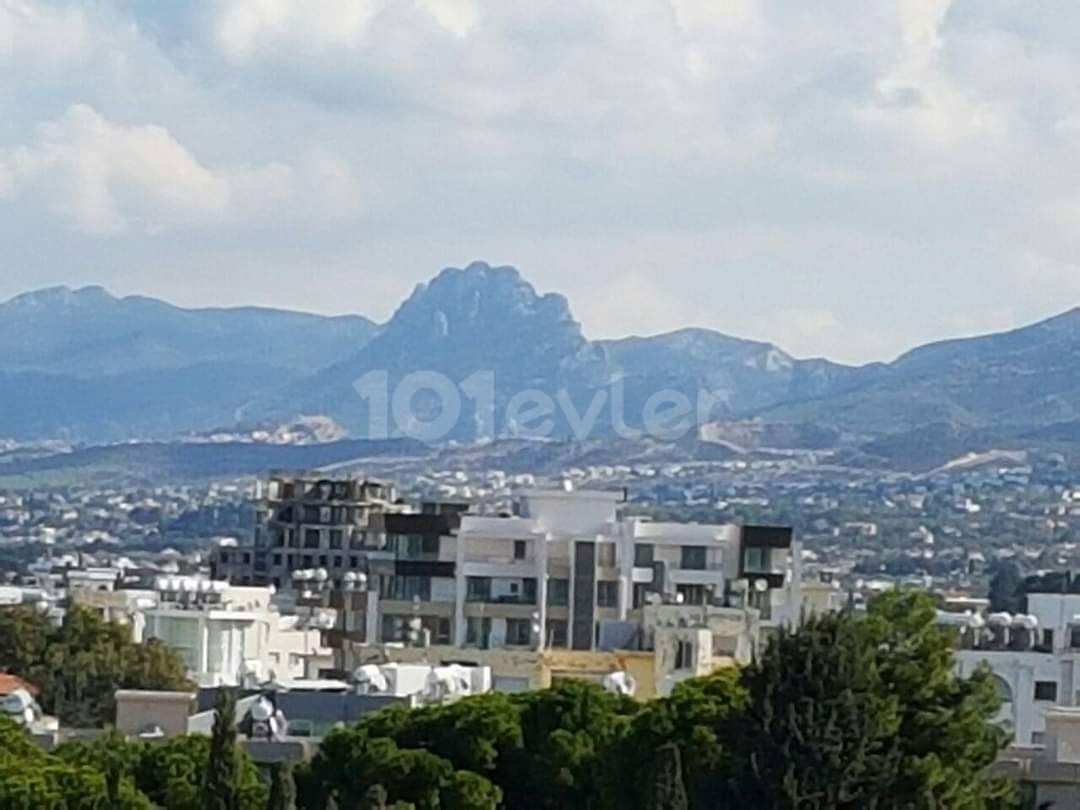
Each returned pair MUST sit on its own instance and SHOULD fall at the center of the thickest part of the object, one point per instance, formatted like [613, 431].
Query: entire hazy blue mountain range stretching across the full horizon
[87, 367]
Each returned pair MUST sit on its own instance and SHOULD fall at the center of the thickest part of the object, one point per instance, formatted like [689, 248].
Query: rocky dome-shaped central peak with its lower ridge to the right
[490, 319]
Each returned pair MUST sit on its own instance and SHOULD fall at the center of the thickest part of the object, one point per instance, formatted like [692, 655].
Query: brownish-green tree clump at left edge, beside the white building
[79, 666]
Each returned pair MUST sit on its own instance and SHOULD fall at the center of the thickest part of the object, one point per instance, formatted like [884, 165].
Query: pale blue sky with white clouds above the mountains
[846, 180]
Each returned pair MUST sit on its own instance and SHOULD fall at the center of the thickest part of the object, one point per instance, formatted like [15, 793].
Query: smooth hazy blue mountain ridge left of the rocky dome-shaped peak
[84, 364]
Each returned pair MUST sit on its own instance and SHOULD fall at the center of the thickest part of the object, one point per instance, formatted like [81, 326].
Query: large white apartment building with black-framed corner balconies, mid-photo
[562, 572]
